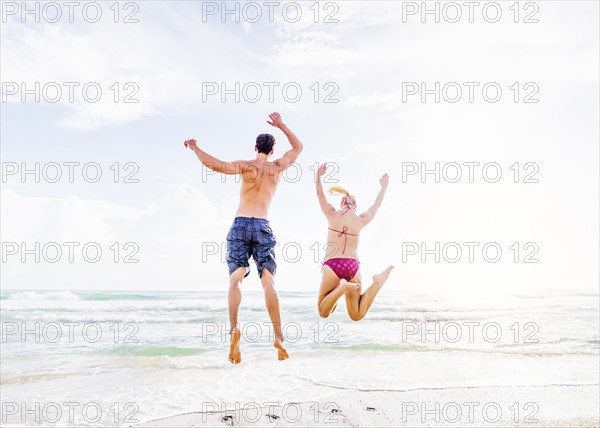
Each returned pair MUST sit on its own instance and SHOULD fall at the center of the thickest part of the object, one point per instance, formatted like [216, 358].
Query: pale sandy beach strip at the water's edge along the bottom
[541, 406]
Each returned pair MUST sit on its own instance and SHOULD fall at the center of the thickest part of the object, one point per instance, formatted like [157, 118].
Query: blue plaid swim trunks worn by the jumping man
[251, 237]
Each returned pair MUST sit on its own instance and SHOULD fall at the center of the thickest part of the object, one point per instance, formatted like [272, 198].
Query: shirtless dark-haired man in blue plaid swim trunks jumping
[251, 234]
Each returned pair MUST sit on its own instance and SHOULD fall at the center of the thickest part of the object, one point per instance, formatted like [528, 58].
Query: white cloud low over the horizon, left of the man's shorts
[171, 234]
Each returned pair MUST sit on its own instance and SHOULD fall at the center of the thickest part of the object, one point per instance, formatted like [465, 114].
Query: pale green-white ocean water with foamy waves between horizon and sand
[117, 358]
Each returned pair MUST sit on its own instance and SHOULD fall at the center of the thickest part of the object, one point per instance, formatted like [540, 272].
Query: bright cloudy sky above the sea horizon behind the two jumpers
[502, 100]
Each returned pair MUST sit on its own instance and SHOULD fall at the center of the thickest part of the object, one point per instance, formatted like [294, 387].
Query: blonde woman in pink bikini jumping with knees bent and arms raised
[341, 270]
